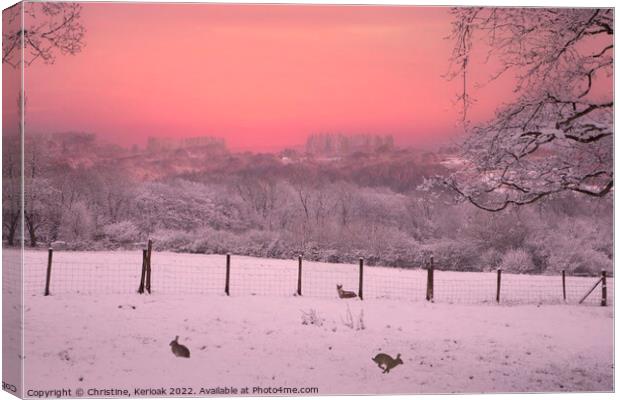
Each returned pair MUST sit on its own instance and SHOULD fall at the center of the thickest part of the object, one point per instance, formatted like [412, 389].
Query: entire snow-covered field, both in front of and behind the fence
[118, 339]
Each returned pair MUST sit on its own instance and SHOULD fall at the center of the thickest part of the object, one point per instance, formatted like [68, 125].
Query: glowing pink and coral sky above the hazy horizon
[262, 77]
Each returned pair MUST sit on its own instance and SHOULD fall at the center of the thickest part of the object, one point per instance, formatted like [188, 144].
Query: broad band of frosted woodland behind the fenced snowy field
[272, 209]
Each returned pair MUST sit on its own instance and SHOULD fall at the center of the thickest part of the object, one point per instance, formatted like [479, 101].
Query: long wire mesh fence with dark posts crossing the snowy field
[172, 273]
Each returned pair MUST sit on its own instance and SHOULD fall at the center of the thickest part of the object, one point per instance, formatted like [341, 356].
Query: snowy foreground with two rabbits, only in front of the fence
[96, 342]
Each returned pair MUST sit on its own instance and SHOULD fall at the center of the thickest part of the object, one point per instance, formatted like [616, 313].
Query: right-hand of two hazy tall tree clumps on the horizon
[339, 144]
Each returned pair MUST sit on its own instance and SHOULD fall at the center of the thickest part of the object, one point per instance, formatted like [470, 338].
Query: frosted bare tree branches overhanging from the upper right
[556, 134]
